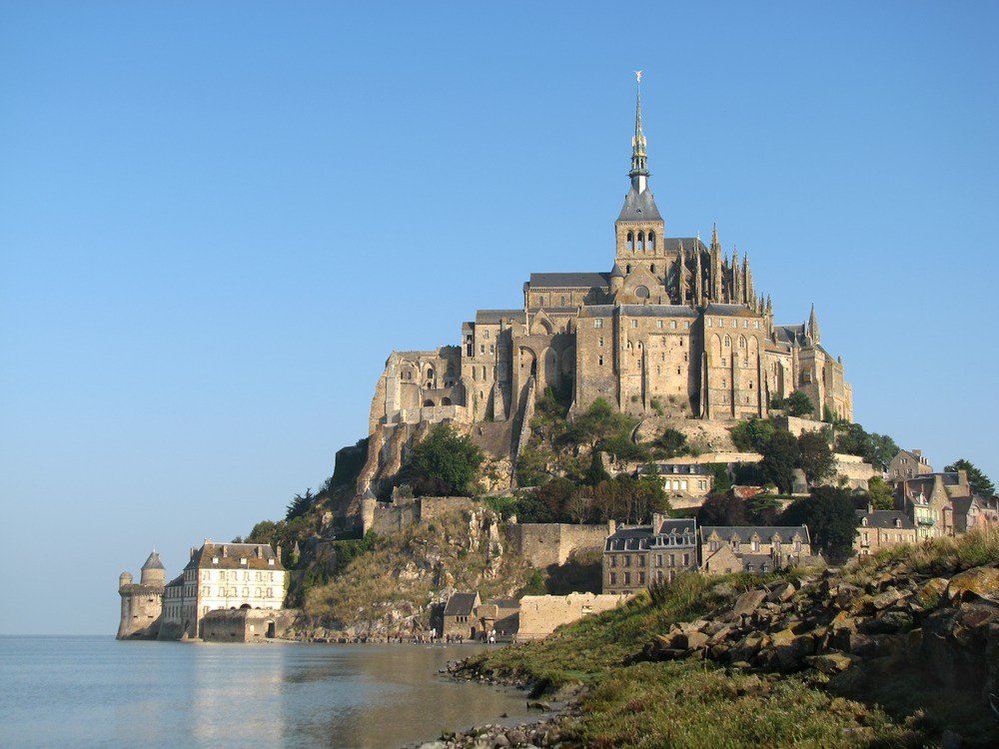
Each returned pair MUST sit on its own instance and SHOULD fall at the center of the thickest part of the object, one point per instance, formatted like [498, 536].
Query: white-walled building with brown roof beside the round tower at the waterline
[222, 576]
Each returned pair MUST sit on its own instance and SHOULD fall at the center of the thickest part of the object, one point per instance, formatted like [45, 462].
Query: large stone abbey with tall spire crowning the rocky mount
[675, 327]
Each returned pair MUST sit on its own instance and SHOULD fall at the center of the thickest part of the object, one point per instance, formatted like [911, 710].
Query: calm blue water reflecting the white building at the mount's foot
[95, 691]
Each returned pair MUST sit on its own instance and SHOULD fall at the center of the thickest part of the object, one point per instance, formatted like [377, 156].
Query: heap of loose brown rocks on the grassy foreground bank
[946, 627]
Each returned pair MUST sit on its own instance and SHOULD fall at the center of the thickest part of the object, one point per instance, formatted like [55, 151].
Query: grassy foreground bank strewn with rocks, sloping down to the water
[654, 675]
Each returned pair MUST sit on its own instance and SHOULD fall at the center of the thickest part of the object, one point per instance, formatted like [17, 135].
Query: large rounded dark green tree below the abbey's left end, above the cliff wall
[445, 462]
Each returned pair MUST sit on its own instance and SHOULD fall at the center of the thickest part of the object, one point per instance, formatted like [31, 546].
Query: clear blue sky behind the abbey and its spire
[218, 219]
